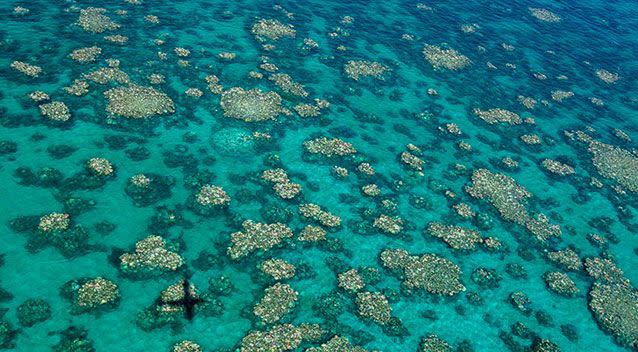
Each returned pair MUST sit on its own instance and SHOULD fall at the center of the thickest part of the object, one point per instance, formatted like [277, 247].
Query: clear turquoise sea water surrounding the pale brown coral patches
[507, 53]
